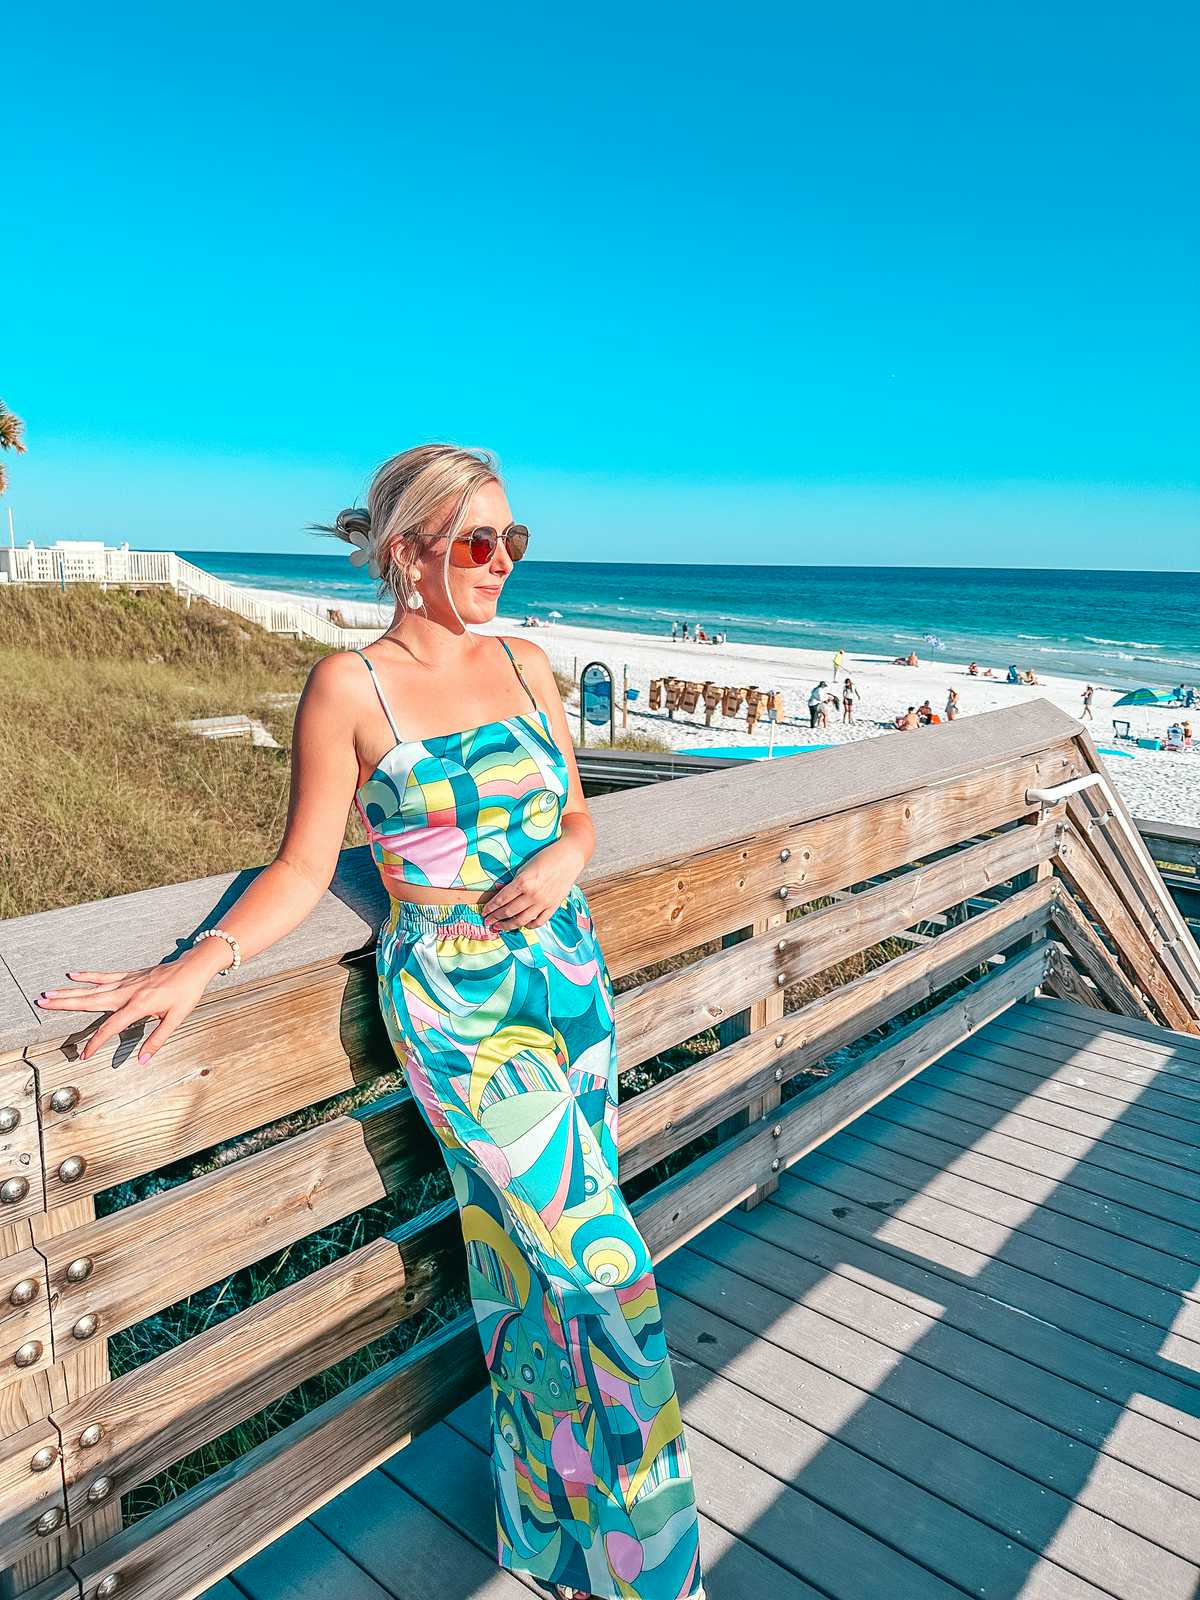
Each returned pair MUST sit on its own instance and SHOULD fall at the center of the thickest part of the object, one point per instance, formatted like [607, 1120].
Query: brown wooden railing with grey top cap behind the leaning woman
[738, 886]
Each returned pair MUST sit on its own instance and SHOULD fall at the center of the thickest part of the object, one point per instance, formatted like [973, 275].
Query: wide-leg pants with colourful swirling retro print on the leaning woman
[508, 1046]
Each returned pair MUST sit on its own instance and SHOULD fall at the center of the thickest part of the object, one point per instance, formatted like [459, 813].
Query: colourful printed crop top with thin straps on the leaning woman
[465, 810]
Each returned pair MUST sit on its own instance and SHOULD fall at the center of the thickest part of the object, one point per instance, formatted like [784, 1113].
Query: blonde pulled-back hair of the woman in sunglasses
[402, 505]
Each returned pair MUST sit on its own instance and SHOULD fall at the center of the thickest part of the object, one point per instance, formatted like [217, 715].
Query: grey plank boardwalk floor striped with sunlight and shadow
[958, 1353]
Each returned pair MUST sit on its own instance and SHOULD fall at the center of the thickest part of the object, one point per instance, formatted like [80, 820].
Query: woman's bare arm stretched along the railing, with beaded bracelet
[324, 778]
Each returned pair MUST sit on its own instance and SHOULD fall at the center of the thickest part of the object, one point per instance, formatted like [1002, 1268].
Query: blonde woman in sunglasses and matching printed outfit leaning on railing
[500, 1007]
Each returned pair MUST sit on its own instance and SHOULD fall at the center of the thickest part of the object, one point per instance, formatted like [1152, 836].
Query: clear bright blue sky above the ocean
[793, 282]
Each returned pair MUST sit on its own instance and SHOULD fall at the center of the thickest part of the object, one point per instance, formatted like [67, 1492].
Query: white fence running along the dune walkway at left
[98, 564]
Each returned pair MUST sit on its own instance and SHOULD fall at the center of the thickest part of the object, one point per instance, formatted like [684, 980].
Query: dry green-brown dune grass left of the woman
[103, 793]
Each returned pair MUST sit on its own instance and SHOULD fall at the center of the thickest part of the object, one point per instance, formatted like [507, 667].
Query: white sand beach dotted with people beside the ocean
[1156, 785]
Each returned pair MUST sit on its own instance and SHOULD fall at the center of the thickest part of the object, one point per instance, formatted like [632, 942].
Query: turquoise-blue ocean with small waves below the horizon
[1121, 630]
